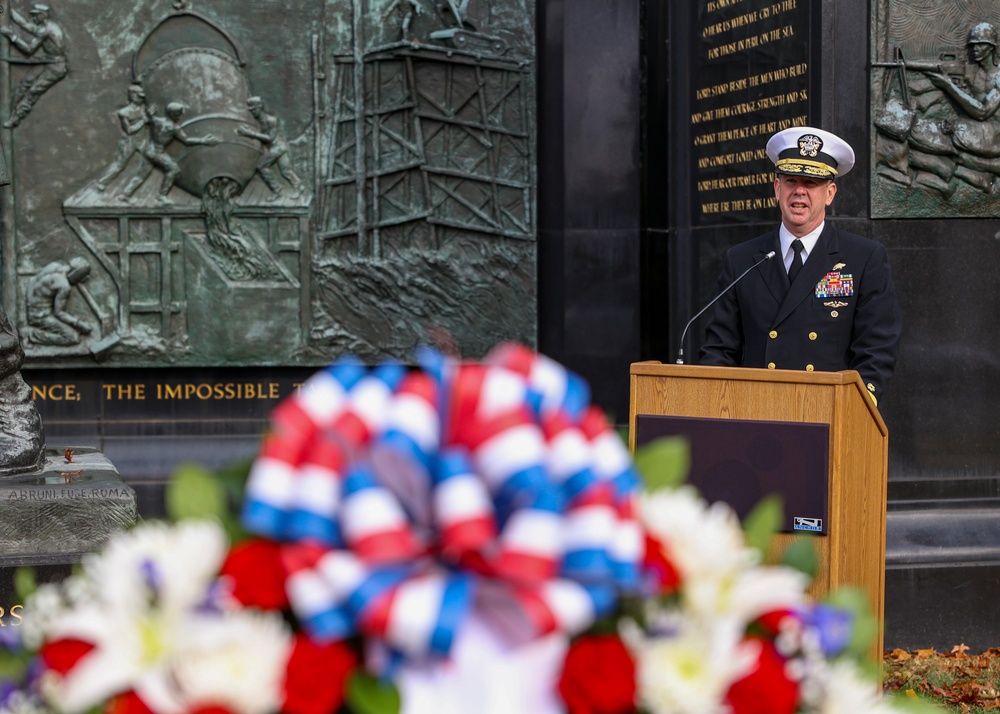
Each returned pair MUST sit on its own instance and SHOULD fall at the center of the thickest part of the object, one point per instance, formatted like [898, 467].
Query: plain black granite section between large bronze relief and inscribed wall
[589, 191]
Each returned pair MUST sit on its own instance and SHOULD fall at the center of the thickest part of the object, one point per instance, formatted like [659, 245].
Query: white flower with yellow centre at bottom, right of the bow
[690, 671]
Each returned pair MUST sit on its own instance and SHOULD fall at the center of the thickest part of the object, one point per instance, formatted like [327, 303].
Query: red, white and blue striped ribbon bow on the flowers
[405, 497]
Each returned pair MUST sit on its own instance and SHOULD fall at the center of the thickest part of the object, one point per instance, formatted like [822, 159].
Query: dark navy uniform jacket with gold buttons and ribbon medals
[841, 312]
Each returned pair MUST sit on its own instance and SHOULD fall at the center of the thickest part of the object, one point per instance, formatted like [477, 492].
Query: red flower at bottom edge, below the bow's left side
[316, 676]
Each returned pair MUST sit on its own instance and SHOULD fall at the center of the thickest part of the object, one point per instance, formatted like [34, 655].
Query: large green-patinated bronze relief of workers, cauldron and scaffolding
[210, 186]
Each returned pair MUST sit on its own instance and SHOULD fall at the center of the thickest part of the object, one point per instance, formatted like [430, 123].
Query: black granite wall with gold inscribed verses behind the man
[706, 62]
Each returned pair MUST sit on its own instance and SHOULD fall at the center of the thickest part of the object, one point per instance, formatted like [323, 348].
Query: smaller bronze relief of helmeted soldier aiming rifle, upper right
[936, 144]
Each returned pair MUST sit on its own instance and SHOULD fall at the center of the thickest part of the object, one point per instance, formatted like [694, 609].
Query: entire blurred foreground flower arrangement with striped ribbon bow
[455, 537]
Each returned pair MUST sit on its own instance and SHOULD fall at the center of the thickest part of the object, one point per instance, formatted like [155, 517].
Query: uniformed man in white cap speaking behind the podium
[826, 302]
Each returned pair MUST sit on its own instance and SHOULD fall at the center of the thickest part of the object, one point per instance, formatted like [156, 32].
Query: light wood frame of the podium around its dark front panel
[852, 550]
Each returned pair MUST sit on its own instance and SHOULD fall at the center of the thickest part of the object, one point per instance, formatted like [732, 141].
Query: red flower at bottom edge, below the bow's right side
[598, 676]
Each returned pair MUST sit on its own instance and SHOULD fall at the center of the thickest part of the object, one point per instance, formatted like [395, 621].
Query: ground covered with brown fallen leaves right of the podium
[958, 680]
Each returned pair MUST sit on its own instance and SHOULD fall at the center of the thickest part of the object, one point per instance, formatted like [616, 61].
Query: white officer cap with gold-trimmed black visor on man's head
[805, 151]
